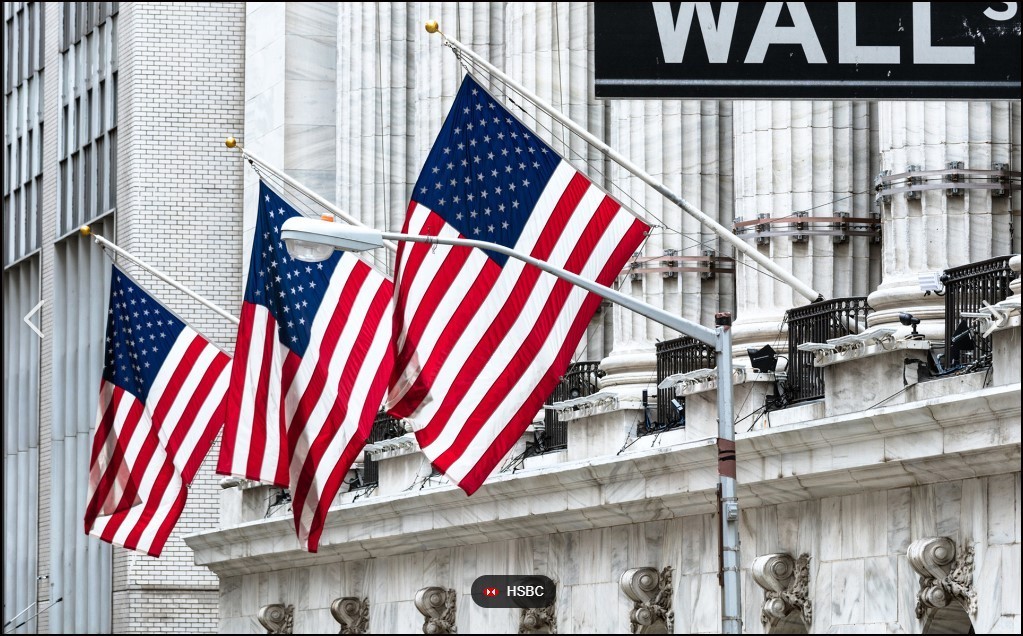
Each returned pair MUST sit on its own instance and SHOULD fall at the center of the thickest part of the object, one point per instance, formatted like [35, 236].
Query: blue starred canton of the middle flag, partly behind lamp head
[292, 290]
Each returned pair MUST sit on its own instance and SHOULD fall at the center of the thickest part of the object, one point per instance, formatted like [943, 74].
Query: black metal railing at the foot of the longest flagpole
[819, 323]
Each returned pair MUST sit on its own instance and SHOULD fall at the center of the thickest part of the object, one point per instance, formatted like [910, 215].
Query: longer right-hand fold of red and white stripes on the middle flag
[336, 390]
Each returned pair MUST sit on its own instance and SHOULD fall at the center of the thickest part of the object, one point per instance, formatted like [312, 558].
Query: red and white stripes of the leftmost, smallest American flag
[145, 455]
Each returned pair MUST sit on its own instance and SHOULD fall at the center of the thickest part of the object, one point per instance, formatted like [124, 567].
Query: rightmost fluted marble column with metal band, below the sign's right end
[938, 231]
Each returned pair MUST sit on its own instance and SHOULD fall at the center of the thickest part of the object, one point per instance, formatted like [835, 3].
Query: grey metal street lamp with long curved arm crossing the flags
[308, 240]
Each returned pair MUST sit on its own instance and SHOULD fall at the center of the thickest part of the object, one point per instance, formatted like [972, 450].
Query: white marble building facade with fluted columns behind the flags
[839, 488]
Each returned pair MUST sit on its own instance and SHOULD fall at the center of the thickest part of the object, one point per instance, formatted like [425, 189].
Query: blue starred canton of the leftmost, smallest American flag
[141, 333]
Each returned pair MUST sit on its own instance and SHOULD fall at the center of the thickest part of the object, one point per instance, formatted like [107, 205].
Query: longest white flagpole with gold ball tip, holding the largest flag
[723, 233]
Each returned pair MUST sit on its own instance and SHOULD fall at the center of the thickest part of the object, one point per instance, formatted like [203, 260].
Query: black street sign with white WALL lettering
[795, 51]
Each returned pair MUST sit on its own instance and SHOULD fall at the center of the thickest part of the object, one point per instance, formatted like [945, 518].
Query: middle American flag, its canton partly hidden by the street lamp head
[312, 367]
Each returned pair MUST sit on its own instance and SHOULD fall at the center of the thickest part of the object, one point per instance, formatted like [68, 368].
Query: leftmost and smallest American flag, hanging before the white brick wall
[161, 407]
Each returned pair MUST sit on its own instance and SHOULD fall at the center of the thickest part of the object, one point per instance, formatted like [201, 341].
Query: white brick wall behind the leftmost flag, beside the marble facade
[180, 194]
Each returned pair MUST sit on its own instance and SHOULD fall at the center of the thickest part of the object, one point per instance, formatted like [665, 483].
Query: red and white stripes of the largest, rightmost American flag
[481, 347]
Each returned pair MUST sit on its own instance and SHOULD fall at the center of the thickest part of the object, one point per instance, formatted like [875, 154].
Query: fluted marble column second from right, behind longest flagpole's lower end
[794, 157]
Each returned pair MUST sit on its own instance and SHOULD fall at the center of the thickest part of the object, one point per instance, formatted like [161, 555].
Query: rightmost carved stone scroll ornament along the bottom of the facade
[946, 575]
